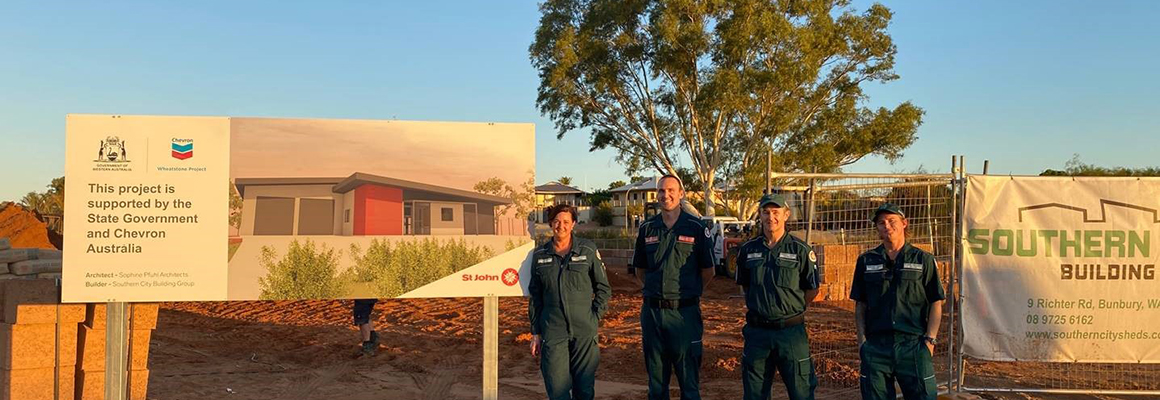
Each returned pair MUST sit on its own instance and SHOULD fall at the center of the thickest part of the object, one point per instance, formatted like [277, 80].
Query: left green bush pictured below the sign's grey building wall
[306, 273]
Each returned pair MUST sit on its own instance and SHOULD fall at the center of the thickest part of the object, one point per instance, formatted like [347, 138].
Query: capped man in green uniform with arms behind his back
[779, 274]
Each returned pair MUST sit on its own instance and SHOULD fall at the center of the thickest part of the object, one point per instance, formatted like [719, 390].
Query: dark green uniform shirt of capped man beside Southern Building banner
[897, 295]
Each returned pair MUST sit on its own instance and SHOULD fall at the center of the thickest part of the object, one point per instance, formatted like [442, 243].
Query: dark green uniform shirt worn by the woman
[569, 294]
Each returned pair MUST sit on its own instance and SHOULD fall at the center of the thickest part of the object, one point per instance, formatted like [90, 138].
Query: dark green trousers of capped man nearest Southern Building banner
[901, 358]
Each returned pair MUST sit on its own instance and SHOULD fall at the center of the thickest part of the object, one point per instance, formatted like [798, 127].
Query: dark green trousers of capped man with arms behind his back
[786, 351]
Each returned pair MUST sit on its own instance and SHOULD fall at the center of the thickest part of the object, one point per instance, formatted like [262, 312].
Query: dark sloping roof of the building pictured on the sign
[344, 185]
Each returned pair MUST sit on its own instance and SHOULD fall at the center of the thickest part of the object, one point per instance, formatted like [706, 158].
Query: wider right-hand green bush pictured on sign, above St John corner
[396, 270]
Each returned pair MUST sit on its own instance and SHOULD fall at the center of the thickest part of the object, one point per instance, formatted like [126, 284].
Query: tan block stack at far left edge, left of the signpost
[38, 340]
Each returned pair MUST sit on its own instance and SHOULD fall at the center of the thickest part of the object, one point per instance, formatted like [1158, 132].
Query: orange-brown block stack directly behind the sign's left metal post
[91, 351]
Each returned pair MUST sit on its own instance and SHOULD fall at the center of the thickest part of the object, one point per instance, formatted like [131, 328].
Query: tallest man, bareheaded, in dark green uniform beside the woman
[675, 252]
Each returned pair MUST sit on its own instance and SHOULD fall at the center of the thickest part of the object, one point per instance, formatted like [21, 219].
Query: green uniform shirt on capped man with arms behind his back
[775, 280]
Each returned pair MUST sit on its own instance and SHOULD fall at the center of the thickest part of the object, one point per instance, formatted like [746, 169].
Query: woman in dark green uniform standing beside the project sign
[570, 294]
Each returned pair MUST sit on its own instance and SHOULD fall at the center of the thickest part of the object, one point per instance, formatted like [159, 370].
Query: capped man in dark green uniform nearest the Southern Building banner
[900, 308]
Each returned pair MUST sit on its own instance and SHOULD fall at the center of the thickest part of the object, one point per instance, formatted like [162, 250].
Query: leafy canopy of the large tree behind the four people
[723, 82]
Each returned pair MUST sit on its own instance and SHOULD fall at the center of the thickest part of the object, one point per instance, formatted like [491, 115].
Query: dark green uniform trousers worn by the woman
[570, 368]
